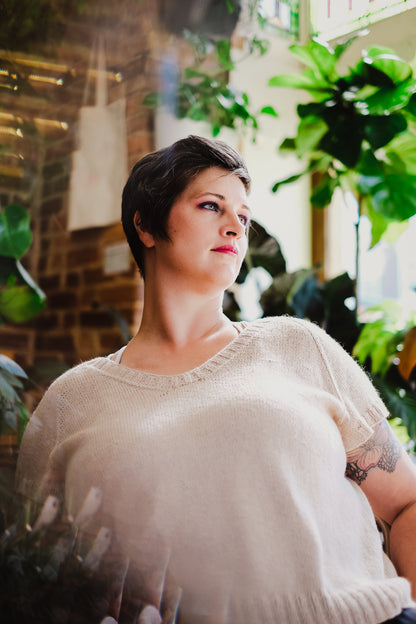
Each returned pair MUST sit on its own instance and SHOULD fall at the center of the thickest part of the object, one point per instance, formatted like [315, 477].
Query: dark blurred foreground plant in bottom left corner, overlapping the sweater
[56, 569]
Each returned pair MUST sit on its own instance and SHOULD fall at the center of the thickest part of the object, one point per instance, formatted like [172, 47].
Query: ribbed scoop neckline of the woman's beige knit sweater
[133, 376]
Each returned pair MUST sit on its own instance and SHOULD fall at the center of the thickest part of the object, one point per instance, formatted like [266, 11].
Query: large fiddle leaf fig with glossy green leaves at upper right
[358, 130]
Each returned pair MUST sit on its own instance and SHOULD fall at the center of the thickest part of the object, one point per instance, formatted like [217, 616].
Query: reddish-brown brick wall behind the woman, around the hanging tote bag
[83, 297]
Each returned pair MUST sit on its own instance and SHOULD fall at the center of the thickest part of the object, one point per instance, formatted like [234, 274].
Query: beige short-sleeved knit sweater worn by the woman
[230, 476]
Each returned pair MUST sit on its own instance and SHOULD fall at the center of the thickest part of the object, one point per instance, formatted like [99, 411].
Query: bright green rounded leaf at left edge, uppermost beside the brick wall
[15, 234]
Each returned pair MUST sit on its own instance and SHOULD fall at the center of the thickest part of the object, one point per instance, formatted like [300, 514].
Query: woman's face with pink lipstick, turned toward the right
[207, 227]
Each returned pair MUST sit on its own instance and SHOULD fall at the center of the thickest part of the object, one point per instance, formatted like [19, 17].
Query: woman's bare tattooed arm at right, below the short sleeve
[387, 477]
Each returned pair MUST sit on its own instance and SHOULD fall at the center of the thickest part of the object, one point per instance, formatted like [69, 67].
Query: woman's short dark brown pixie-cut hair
[158, 179]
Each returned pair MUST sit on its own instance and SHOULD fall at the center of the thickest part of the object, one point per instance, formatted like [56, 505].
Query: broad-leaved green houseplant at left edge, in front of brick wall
[20, 300]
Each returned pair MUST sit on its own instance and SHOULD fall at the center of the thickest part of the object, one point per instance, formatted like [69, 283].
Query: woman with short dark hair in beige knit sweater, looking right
[238, 465]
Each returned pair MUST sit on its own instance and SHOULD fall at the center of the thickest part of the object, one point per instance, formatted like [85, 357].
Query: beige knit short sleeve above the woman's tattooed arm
[353, 387]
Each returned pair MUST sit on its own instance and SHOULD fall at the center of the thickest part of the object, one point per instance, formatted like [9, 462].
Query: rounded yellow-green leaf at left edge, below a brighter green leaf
[20, 303]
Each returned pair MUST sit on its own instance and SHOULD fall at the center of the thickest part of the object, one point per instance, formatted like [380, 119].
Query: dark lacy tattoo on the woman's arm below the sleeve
[382, 451]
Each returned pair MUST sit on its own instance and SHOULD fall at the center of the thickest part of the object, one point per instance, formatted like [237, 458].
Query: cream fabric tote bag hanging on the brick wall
[99, 165]
